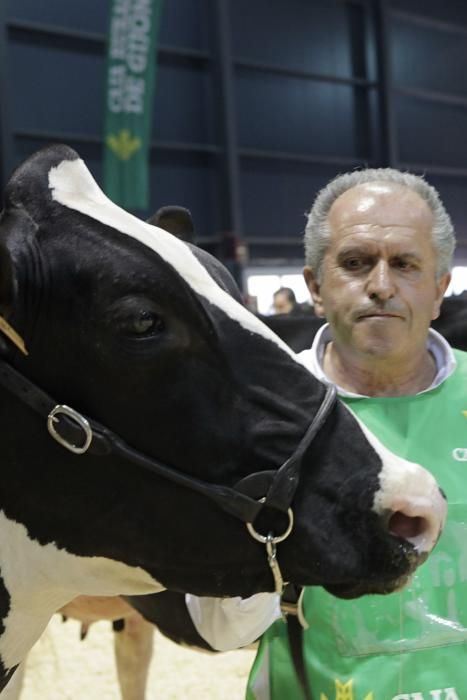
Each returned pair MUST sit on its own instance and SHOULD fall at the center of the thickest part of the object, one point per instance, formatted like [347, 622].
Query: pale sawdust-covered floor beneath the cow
[61, 667]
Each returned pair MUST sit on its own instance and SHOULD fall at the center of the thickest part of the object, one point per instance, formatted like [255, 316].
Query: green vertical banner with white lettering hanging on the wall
[131, 67]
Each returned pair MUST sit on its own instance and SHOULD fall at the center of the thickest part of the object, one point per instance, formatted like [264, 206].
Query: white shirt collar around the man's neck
[313, 359]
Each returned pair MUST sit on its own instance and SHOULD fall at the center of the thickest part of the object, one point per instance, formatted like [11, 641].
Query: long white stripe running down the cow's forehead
[73, 186]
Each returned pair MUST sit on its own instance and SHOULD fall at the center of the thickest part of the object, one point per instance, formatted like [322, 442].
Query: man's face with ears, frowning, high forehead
[378, 287]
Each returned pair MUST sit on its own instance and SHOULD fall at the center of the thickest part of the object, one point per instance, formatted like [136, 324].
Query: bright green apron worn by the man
[410, 645]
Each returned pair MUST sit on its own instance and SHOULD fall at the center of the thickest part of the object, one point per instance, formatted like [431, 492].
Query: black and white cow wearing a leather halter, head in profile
[187, 411]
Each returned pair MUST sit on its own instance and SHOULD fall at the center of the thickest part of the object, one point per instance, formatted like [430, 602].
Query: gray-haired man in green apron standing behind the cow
[379, 246]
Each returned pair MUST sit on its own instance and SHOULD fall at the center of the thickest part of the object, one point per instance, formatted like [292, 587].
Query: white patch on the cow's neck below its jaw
[40, 579]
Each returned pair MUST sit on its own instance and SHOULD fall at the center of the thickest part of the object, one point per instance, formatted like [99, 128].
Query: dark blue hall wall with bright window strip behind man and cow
[257, 104]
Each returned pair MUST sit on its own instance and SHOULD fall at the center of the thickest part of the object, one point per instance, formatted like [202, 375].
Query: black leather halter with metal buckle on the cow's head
[80, 434]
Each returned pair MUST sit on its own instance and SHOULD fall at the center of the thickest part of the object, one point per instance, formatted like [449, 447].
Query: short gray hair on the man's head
[317, 231]
